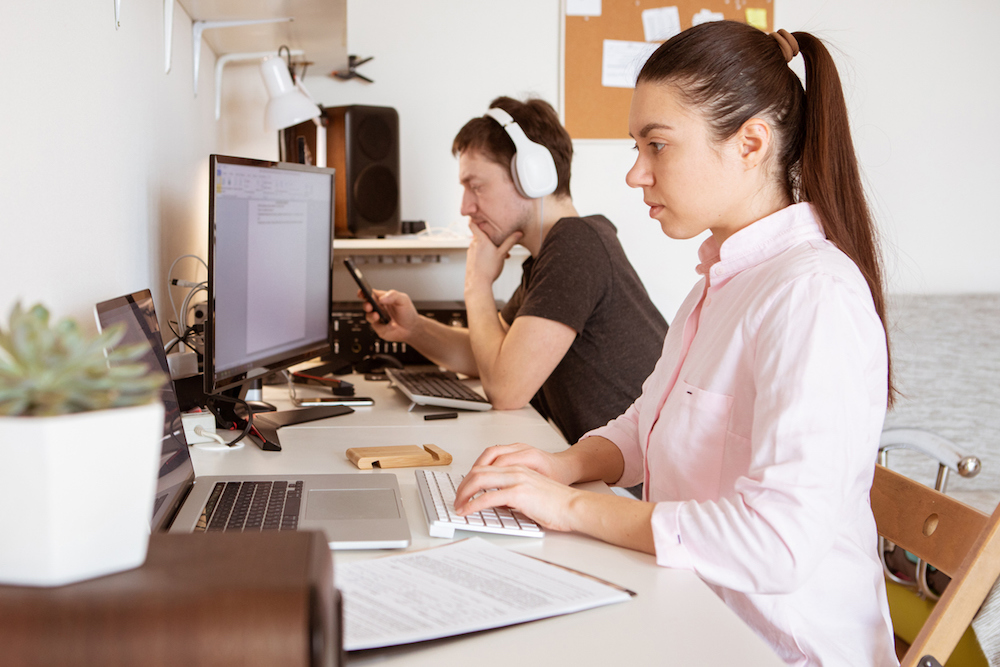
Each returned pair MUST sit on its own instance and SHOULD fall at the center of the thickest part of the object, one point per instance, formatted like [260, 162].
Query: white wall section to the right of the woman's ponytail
[923, 89]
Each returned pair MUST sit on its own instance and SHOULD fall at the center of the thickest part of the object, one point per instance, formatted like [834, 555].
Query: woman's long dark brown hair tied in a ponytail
[732, 72]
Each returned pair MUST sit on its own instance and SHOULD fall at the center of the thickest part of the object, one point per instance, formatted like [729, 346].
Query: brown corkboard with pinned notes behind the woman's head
[594, 110]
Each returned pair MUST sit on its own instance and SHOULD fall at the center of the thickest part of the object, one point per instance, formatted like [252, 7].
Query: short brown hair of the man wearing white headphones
[540, 124]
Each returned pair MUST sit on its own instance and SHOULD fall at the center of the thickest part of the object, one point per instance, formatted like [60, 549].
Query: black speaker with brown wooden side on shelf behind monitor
[363, 146]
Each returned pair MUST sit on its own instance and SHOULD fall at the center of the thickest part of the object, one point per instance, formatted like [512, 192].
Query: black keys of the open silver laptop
[251, 506]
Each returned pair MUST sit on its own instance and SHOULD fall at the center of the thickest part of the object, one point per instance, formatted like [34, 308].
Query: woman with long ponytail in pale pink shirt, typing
[756, 435]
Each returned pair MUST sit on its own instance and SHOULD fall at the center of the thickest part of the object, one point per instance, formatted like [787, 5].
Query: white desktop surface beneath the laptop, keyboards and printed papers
[675, 619]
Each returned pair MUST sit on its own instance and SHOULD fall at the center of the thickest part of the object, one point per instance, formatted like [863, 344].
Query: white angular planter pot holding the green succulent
[76, 493]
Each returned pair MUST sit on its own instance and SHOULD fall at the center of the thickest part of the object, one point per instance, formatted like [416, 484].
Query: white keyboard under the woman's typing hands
[437, 495]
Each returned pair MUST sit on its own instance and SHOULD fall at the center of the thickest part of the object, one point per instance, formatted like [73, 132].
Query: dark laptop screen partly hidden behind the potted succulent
[136, 313]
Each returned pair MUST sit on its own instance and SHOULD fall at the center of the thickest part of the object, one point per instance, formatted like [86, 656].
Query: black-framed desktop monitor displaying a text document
[270, 262]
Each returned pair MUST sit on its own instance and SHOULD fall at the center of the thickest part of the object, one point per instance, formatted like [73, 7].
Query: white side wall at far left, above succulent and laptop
[102, 155]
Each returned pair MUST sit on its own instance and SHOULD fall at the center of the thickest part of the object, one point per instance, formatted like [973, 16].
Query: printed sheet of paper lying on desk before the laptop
[455, 589]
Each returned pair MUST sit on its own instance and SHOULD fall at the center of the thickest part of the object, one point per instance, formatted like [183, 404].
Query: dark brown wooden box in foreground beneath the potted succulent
[199, 601]
